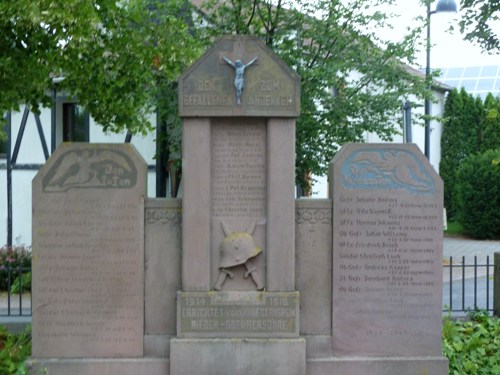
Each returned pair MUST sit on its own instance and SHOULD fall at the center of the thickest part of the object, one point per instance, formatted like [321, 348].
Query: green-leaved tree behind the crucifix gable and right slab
[350, 85]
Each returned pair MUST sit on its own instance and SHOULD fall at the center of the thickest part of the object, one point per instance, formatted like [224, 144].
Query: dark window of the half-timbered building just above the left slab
[75, 123]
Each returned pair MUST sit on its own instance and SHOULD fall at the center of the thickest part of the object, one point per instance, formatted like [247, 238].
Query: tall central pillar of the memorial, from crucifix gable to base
[238, 103]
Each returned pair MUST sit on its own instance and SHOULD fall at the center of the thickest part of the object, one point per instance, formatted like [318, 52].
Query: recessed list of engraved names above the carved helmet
[239, 168]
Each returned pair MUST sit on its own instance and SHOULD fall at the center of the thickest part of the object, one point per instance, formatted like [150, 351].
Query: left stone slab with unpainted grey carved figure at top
[88, 274]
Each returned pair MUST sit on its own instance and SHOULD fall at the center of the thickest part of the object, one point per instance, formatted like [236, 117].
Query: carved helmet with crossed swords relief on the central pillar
[237, 248]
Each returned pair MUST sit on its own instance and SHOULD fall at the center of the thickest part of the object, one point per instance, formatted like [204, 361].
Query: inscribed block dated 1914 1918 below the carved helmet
[238, 314]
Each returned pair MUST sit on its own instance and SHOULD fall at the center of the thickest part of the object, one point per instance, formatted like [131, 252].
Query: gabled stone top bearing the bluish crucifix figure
[239, 76]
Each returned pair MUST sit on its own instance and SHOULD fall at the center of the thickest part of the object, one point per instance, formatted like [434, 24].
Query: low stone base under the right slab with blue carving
[378, 366]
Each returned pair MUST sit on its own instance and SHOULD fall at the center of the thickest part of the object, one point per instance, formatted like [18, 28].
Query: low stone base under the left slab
[101, 366]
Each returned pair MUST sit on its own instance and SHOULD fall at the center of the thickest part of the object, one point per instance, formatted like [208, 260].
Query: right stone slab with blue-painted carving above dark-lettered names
[387, 254]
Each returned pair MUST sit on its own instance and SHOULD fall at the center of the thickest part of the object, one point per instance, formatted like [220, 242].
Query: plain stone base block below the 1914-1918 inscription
[238, 356]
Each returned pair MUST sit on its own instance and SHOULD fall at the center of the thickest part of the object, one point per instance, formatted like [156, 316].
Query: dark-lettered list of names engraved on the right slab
[386, 256]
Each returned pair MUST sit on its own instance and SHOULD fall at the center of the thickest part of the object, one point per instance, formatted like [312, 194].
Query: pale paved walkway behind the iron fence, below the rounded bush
[458, 247]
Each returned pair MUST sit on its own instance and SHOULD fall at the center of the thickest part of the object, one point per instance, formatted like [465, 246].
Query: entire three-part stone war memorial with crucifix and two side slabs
[238, 277]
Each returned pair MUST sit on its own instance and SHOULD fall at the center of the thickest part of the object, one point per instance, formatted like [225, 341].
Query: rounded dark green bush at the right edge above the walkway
[477, 195]
